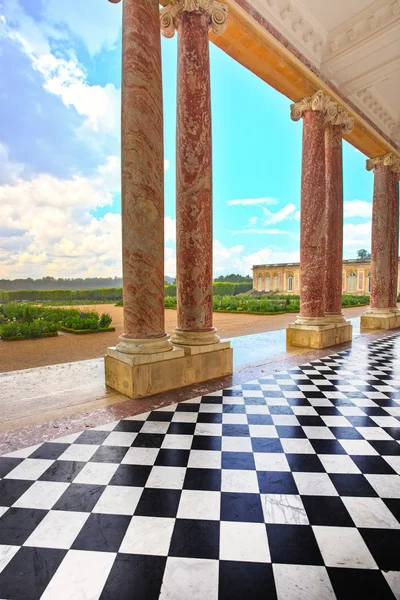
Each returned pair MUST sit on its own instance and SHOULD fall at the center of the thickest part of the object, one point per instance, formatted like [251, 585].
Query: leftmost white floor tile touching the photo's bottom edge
[81, 575]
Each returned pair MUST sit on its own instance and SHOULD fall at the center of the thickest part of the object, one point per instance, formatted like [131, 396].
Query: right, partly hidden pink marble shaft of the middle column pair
[334, 221]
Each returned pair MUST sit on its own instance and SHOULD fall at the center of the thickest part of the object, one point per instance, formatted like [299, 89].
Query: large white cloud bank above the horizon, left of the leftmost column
[49, 228]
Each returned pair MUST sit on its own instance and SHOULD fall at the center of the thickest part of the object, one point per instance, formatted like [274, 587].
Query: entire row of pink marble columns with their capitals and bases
[141, 363]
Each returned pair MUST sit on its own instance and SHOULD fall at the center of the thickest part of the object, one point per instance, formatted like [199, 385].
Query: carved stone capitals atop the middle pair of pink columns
[334, 113]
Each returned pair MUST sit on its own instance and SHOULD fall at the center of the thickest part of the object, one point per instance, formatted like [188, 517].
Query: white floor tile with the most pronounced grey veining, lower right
[283, 509]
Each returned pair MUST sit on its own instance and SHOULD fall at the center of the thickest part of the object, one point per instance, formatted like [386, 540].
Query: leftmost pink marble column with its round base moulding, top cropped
[142, 157]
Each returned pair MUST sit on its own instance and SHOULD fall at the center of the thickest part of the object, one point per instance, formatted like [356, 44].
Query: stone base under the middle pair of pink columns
[321, 335]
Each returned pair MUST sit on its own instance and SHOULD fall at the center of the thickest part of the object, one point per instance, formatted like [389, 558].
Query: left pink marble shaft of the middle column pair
[313, 216]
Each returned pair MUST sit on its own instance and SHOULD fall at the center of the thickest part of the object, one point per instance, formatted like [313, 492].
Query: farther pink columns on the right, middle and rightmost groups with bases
[321, 322]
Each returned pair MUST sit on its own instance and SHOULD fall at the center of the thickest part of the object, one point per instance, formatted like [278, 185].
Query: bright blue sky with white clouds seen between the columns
[60, 157]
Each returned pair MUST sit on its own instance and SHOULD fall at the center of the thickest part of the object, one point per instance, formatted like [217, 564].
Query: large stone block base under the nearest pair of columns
[136, 376]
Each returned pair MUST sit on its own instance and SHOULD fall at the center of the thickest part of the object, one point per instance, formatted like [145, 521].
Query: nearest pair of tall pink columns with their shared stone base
[141, 363]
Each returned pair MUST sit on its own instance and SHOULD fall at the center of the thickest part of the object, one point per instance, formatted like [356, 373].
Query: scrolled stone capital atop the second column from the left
[217, 11]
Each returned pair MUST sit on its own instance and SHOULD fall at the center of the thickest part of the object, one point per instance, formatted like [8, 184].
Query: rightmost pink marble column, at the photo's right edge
[385, 238]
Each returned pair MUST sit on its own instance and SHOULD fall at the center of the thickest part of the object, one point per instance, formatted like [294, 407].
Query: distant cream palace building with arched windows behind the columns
[285, 277]
